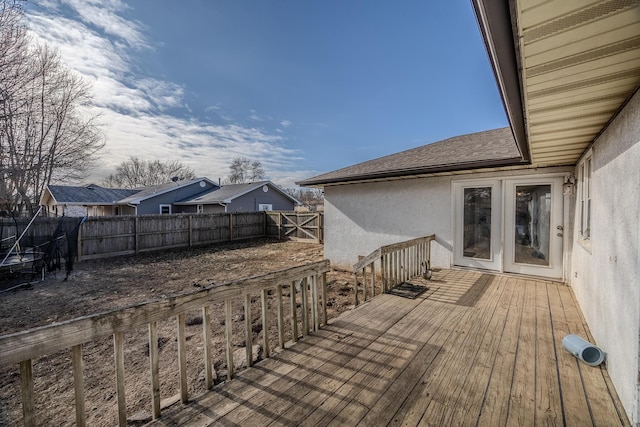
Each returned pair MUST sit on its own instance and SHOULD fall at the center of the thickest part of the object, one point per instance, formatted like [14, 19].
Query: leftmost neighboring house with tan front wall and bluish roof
[88, 200]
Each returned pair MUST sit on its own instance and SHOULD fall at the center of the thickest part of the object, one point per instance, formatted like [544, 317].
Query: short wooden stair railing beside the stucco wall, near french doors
[398, 262]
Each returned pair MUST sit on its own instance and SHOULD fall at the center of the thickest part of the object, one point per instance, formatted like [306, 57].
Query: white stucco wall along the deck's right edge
[606, 276]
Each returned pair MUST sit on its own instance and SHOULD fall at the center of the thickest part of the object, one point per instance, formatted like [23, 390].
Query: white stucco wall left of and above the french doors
[360, 218]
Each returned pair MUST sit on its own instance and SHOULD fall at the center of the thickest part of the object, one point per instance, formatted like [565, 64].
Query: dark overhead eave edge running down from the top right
[494, 20]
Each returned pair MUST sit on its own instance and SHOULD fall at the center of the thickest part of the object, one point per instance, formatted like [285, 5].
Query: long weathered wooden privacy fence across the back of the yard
[121, 235]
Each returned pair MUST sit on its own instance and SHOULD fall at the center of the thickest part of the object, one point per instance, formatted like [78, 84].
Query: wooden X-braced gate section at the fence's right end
[296, 225]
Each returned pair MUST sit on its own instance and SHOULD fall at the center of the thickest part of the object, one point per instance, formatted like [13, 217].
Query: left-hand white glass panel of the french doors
[477, 218]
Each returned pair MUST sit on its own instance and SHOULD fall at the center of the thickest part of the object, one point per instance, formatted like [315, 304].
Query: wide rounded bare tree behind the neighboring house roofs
[136, 172]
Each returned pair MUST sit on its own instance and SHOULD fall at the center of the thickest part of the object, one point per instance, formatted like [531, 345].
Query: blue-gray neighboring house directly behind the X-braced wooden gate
[251, 197]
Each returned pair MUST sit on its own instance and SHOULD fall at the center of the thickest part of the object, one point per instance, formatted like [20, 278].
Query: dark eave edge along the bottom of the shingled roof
[414, 171]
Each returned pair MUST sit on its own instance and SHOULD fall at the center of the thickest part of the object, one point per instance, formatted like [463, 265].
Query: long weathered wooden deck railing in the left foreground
[23, 347]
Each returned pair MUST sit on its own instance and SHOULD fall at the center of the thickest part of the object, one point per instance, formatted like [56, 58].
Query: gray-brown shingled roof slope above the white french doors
[490, 148]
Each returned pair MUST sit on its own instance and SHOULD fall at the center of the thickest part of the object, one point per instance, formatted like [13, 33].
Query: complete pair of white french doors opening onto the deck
[511, 225]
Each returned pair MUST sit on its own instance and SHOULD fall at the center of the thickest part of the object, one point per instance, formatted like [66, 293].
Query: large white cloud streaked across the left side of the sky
[97, 42]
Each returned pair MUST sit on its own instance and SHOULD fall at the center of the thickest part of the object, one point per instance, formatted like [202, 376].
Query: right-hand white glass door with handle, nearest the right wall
[533, 226]
